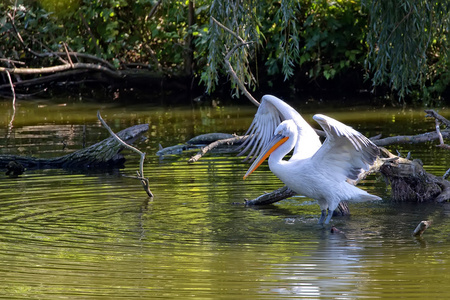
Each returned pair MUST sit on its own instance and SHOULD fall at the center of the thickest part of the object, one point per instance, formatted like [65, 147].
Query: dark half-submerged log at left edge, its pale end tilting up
[104, 154]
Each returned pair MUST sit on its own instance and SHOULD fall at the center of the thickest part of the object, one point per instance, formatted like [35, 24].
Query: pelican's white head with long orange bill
[286, 130]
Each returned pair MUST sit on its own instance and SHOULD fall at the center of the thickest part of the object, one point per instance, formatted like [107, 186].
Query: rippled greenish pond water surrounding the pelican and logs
[97, 235]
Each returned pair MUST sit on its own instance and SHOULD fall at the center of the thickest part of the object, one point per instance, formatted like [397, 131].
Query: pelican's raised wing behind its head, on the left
[271, 112]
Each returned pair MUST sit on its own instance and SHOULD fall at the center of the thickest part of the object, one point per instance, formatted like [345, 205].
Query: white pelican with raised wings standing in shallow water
[315, 170]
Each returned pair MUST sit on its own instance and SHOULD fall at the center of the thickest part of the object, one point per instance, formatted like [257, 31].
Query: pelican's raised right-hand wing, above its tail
[345, 152]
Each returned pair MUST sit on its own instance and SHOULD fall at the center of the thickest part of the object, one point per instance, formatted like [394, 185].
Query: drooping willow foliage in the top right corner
[409, 44]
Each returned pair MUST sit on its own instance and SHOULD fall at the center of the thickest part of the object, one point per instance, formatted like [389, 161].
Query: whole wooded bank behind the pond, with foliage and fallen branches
[311, 48]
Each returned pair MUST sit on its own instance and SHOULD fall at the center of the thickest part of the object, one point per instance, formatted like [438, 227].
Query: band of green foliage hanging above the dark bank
[402, 44]
